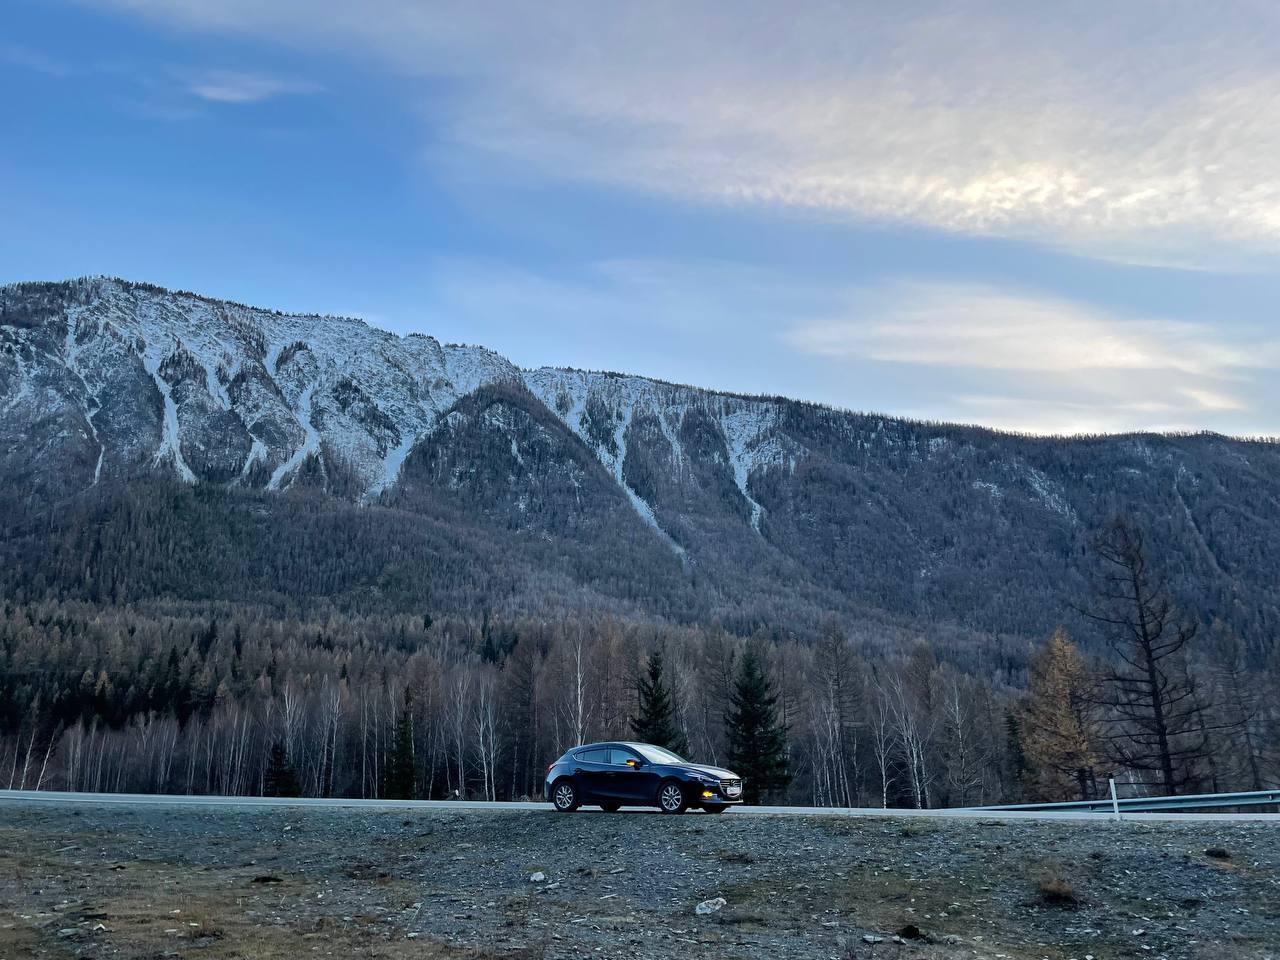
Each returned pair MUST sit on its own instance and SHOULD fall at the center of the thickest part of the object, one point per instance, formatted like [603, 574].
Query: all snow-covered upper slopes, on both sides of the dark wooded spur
[117, 378]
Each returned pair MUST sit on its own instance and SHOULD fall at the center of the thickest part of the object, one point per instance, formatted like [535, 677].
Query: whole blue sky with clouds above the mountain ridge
[1043, 218]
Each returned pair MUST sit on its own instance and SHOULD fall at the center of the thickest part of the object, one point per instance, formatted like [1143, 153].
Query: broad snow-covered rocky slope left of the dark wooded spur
[129, 378]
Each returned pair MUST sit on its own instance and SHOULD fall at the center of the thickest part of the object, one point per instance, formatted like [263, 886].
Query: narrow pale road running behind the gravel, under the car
[56, 798]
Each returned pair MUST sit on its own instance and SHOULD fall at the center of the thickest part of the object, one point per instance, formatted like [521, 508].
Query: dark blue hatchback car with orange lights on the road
[619, 774]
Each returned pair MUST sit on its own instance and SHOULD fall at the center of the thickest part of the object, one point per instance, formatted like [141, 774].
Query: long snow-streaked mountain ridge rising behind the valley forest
[161, 445]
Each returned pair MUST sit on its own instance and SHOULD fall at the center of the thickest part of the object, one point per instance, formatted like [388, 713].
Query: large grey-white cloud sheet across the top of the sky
[1131, 131]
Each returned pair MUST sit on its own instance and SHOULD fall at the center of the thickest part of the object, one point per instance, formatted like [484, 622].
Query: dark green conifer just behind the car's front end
[757, 739]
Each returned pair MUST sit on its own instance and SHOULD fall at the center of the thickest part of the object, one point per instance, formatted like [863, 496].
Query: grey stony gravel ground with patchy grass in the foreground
[126, 883]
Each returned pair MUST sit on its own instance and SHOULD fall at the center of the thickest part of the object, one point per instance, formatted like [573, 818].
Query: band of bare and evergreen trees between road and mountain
[222, 698]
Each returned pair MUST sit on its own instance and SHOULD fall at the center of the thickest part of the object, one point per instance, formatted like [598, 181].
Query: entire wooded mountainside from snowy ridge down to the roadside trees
[299, 555]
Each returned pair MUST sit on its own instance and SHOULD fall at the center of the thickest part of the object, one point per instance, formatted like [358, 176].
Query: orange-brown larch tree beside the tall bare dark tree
[1060, 730]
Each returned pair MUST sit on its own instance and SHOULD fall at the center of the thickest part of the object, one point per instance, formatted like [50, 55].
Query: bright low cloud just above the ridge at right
[1050, 365]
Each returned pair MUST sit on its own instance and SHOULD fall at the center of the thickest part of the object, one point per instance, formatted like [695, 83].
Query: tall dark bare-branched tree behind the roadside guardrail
[1159, 720]
